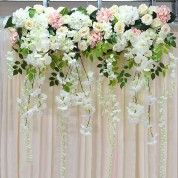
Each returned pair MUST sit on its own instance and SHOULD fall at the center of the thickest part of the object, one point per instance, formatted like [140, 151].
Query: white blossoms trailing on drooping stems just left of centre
[67, 100]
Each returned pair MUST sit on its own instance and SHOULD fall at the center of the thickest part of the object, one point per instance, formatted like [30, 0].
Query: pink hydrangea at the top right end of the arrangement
[163, 14]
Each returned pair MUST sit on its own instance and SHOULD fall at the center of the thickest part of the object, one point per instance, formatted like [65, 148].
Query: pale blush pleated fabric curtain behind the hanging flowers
[87, 157]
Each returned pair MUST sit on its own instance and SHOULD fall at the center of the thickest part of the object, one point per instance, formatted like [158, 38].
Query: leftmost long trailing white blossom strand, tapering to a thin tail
[32, 100]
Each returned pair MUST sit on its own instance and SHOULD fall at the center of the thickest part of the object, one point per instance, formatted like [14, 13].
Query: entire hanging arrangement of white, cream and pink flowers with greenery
[125, 43]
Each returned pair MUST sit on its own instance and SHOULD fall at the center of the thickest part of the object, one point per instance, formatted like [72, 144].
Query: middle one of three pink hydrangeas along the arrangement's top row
[104, 15]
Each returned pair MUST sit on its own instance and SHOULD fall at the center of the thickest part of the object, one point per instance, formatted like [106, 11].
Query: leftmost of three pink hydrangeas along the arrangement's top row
[55, 20]
